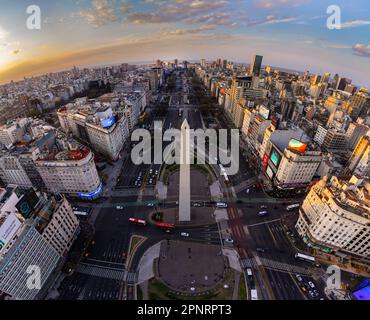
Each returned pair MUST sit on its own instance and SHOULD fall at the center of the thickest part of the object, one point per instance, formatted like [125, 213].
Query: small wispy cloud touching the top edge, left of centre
[101, 13]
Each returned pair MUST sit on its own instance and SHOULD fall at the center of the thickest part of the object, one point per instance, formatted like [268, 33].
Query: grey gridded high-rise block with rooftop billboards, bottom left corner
[36, 230]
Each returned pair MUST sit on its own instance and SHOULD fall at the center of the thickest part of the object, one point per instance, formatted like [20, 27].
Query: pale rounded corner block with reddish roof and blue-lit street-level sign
[52, 162]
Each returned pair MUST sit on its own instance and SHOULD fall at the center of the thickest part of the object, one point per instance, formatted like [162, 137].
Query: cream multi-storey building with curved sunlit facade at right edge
[335, 217]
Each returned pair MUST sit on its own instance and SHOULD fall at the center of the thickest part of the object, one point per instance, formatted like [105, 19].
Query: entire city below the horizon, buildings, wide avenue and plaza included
[99, 227]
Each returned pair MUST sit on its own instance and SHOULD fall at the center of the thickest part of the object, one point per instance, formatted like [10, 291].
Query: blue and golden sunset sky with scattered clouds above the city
[290, 34]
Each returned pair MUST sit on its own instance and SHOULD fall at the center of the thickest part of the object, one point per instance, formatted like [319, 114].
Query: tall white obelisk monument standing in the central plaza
[184, 190]
